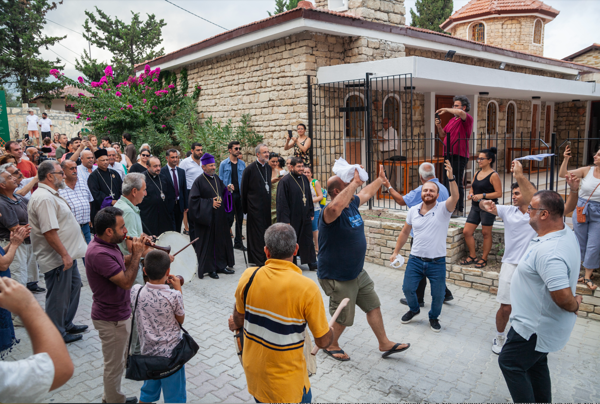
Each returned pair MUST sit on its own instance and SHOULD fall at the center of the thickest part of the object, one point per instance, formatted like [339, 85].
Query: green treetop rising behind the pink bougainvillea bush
[129, 44]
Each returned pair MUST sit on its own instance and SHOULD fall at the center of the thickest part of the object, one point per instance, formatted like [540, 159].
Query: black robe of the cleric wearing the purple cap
[214, 248]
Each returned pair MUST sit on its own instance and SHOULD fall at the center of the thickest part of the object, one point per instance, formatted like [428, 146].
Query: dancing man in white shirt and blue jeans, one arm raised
[429, 220]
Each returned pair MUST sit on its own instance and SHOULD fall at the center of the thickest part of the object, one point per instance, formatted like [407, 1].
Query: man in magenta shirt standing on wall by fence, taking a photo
[459, 128]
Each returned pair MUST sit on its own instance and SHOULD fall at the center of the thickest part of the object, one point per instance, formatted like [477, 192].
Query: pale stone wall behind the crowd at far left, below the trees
[61, 122]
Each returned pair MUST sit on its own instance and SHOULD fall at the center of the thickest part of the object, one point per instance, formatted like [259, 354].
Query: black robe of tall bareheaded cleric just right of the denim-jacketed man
[256, 204]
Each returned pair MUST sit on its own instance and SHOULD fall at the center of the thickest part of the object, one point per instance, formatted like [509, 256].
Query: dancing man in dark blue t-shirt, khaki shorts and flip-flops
[342, 249]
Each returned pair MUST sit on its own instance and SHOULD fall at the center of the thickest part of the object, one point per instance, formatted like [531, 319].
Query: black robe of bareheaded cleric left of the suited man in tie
[154, 210]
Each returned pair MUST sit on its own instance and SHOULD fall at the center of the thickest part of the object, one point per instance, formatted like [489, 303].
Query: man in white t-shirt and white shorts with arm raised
[517, 235]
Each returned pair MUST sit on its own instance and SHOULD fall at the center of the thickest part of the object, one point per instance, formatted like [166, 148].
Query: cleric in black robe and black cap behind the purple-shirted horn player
[103, 182]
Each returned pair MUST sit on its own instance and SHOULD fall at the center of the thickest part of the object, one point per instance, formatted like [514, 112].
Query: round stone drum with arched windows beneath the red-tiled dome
[514, 33]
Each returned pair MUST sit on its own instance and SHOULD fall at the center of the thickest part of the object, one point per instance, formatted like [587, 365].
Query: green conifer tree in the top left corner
[21, 39]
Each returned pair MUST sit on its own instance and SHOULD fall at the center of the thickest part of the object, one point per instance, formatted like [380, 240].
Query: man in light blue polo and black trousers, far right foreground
[544, 305]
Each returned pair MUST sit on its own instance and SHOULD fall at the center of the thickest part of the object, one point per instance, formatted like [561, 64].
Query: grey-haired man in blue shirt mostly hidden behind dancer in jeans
[413, 198]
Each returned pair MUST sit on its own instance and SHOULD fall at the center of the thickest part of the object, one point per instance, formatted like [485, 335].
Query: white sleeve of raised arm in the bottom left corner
[27, 380]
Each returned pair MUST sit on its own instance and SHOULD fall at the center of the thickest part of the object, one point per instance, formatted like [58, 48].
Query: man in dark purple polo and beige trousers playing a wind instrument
[111, 277]
